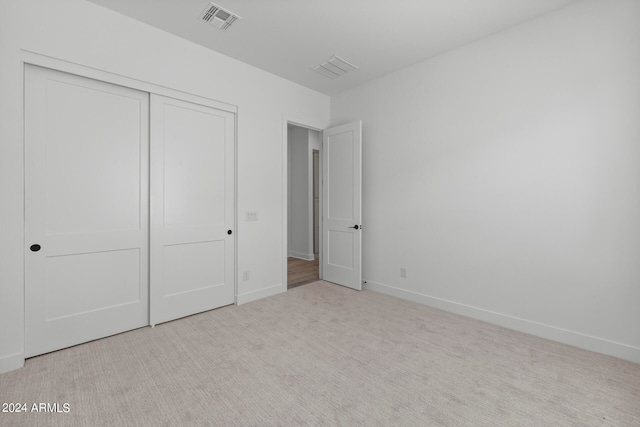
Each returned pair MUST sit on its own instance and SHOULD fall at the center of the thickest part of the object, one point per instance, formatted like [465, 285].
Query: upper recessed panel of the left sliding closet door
[93, 158]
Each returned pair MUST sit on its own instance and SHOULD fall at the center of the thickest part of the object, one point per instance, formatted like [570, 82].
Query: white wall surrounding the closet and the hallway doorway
[86, 34]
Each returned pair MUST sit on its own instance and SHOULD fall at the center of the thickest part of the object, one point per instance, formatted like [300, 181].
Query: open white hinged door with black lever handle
[342, 205]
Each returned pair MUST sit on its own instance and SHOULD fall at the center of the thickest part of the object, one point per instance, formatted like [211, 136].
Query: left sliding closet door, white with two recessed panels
[86, 209]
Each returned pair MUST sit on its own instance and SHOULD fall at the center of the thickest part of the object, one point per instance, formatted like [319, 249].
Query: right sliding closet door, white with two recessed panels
[192, 208]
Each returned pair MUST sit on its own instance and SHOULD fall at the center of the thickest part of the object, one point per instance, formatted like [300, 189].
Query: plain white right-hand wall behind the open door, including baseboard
[505, 177]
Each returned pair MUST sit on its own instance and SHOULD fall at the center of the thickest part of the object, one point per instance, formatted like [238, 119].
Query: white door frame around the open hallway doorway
[286, 121]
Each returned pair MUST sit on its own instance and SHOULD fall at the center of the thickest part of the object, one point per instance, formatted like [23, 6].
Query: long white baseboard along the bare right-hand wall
[576, 339]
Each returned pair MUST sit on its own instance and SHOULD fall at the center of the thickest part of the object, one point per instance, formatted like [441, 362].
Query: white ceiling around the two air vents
[289, 37]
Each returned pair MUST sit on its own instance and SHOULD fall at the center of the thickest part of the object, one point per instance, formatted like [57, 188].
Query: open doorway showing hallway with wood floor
[303, 205]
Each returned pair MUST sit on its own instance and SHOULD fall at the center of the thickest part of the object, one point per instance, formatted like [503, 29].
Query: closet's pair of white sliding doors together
[129, 208]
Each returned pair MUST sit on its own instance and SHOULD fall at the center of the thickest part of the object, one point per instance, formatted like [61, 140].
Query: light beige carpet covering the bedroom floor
[326, 355]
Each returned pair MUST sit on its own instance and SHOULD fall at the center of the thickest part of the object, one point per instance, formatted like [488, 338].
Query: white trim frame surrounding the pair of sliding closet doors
[33, 58]
